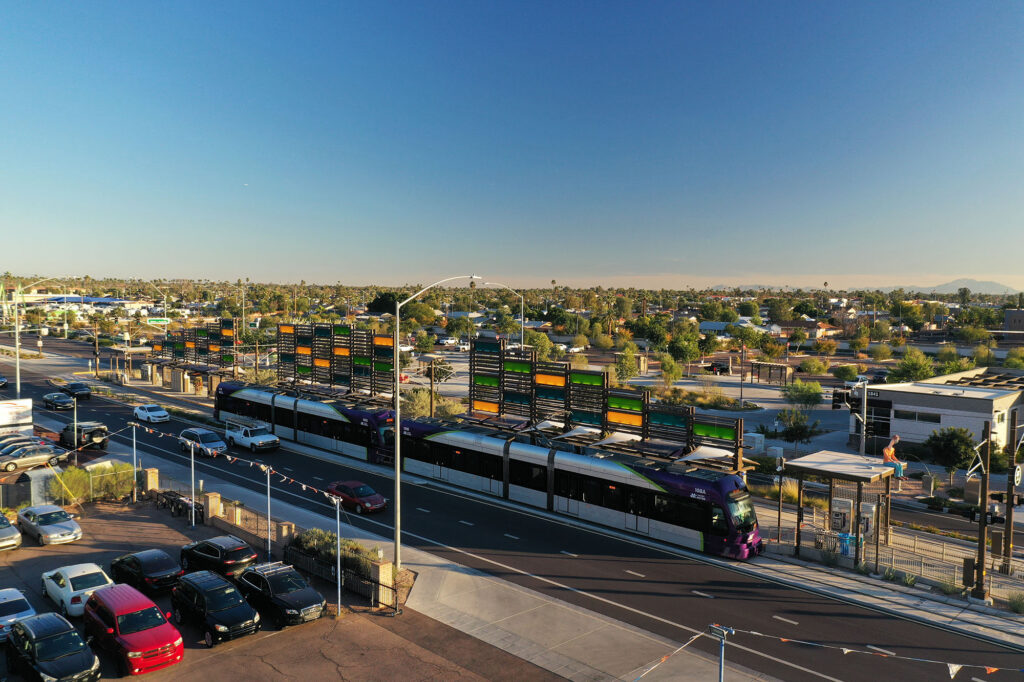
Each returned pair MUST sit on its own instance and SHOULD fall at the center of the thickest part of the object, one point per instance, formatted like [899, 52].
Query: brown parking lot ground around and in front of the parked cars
[360, 646]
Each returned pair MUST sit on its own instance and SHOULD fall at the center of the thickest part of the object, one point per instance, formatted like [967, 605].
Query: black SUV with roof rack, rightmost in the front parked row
[281, 594]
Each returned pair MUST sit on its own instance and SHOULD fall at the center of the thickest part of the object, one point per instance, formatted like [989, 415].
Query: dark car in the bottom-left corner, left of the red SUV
[48, 648]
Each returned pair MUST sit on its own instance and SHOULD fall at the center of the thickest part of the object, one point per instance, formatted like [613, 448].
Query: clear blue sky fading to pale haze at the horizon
[616, 144]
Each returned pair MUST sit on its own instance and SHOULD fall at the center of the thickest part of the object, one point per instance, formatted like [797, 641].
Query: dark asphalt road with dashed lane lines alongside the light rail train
[662, 591]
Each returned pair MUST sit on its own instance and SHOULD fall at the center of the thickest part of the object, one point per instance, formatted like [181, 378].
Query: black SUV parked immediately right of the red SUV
[215, 606]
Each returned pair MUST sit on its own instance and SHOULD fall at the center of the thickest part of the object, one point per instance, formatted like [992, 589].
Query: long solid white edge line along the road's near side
[515, 570]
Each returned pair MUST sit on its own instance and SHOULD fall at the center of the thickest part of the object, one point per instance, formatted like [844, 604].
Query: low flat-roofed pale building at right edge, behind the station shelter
[968, 400]
